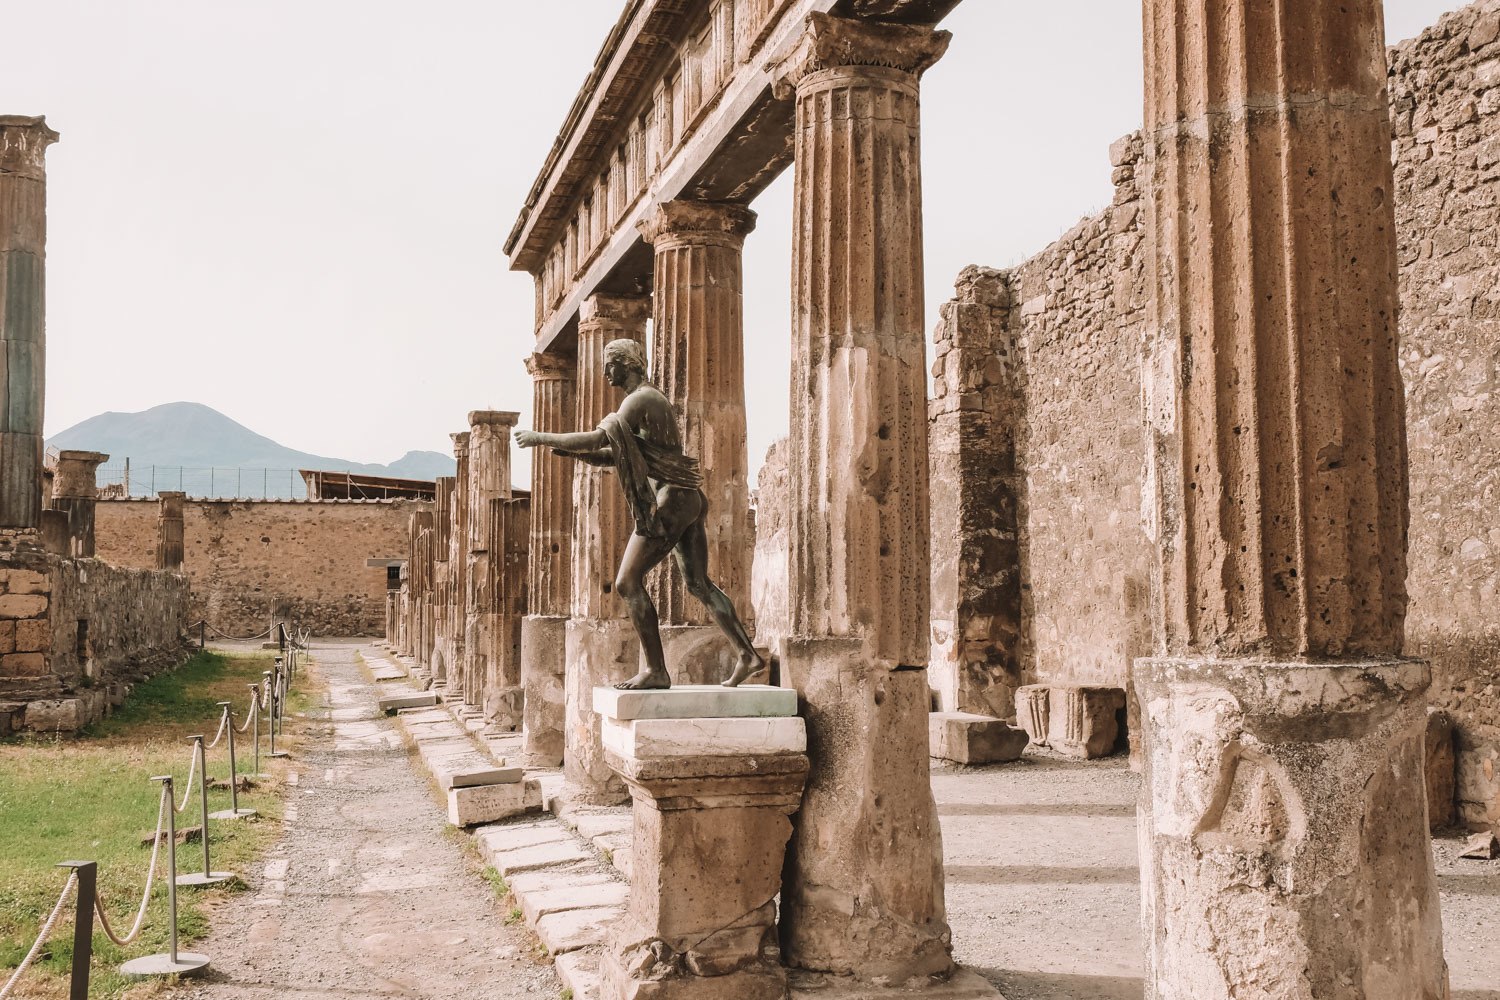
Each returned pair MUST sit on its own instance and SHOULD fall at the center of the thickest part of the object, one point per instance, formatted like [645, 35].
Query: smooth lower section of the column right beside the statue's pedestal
[865, 884]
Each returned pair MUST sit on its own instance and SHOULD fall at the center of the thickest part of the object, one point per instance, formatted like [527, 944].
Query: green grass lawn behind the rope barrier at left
[92, 800]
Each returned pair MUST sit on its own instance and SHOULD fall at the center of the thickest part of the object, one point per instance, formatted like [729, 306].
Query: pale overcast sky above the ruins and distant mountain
[293, 211]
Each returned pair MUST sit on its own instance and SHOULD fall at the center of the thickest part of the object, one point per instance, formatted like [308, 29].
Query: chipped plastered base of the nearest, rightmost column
[1285, 831]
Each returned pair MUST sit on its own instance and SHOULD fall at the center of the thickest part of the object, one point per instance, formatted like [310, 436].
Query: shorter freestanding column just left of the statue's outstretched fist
[490, 481]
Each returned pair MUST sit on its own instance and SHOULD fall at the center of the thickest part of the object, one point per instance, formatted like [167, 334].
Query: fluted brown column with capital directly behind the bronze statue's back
[698, 361]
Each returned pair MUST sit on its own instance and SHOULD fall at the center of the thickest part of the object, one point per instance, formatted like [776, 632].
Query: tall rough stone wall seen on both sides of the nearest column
[1075, 320]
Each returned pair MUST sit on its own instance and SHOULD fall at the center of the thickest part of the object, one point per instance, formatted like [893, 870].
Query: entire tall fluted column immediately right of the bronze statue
[865, 893]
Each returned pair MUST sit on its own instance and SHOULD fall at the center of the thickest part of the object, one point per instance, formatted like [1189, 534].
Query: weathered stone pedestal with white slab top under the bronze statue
[712, 804]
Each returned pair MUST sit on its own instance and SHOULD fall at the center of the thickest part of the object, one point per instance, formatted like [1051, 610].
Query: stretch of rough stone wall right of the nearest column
[1445, 89]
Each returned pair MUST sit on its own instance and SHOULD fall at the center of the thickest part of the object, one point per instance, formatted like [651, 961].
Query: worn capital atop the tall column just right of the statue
[833, 43]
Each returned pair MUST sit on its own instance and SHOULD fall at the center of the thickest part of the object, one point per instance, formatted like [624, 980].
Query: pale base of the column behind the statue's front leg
[599, 654]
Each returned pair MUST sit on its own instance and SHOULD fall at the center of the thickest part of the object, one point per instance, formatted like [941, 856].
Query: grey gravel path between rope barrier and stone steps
[367, 896]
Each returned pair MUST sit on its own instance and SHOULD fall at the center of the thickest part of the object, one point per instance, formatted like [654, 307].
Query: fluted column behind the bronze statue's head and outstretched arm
[602, 645]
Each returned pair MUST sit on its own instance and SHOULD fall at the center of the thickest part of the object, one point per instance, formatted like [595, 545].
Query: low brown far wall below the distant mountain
[247, 558]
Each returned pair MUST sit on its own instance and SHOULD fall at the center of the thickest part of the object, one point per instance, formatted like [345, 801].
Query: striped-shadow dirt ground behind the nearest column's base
[1043, 894]
